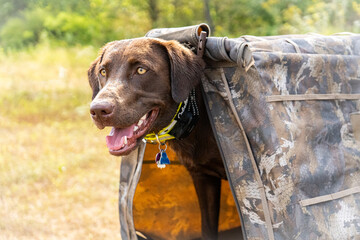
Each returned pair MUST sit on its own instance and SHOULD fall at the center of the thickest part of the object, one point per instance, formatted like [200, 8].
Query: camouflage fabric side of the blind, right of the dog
[298, 100]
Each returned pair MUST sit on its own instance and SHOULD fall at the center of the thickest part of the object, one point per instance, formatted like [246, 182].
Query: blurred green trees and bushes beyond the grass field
[94, 22]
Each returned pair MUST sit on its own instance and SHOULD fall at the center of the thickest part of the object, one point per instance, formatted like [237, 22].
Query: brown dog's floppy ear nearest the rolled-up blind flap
[186, 70]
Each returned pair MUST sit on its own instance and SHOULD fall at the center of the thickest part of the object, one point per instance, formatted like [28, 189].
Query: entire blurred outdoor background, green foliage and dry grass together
[57, 180]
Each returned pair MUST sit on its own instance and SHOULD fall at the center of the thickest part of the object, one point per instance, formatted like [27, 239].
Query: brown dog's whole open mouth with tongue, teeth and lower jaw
[122, 141]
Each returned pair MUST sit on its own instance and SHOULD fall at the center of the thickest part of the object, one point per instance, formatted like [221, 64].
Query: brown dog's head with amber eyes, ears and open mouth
[137, 85]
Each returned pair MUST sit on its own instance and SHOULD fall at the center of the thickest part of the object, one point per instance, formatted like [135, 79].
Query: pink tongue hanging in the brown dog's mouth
[116, 138]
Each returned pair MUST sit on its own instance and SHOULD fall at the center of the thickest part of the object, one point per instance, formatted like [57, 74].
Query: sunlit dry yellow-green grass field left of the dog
[57, 180]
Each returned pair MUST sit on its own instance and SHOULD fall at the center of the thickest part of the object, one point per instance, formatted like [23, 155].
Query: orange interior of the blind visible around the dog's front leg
[165, 202]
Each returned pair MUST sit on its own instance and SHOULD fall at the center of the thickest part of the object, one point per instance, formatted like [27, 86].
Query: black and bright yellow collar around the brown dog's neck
[181, 124]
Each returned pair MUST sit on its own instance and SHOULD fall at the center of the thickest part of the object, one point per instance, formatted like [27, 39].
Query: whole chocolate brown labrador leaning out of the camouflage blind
[137, 86]
